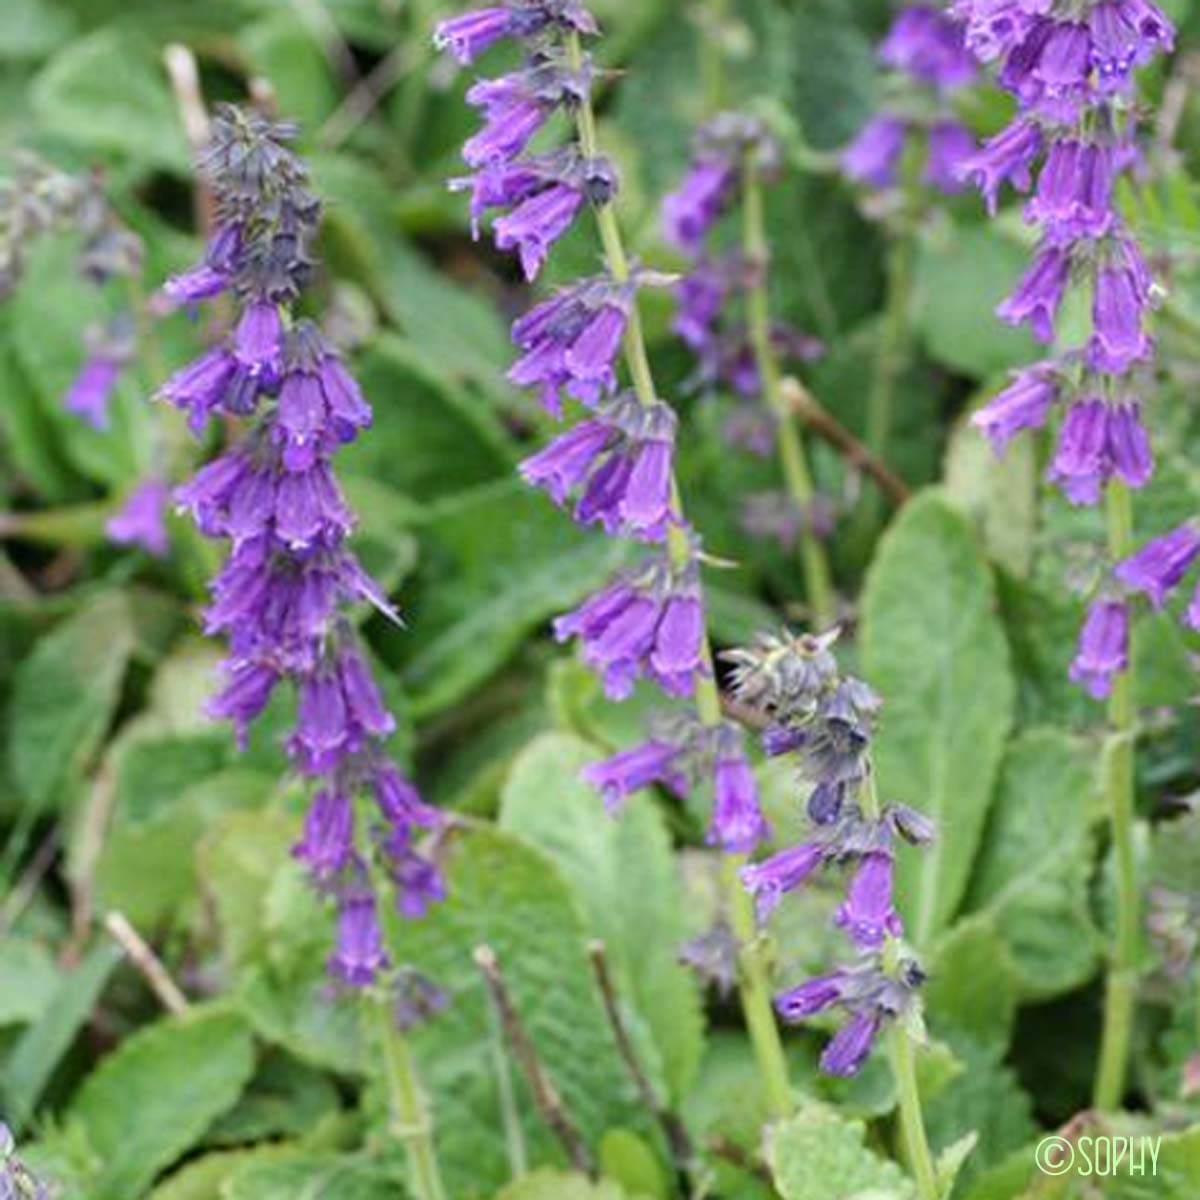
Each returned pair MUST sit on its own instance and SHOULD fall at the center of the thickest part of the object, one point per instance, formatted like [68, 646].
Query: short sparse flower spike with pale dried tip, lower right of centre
[825, 719]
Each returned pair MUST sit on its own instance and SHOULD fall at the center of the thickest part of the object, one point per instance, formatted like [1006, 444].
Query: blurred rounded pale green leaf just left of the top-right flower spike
[957, 309]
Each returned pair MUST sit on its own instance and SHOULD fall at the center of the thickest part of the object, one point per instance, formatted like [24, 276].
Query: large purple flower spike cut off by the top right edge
[1071, 68]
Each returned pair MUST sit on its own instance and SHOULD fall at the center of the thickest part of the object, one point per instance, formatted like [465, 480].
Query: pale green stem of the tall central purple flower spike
[755, 983]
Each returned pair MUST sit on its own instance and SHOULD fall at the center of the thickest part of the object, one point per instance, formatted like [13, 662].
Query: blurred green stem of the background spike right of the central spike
[823, 601]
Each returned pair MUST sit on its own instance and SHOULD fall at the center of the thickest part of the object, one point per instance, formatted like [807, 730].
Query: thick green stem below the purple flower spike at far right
[1121, 986]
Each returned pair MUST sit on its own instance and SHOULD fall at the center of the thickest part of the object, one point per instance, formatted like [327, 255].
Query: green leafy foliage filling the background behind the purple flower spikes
[116, 795]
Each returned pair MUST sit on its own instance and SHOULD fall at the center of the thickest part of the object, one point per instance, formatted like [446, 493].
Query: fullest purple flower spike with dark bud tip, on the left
[284, 595]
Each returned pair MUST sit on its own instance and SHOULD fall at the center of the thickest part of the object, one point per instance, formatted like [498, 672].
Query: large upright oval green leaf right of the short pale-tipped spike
[935, 651]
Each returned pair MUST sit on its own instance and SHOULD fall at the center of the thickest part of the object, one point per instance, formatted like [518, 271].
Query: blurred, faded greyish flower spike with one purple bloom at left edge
[39, 200]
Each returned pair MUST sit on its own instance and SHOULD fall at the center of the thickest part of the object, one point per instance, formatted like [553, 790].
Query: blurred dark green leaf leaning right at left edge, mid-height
[64, 697]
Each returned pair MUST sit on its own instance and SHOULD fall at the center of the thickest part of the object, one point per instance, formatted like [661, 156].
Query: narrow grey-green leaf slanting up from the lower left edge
[39, 1051]
